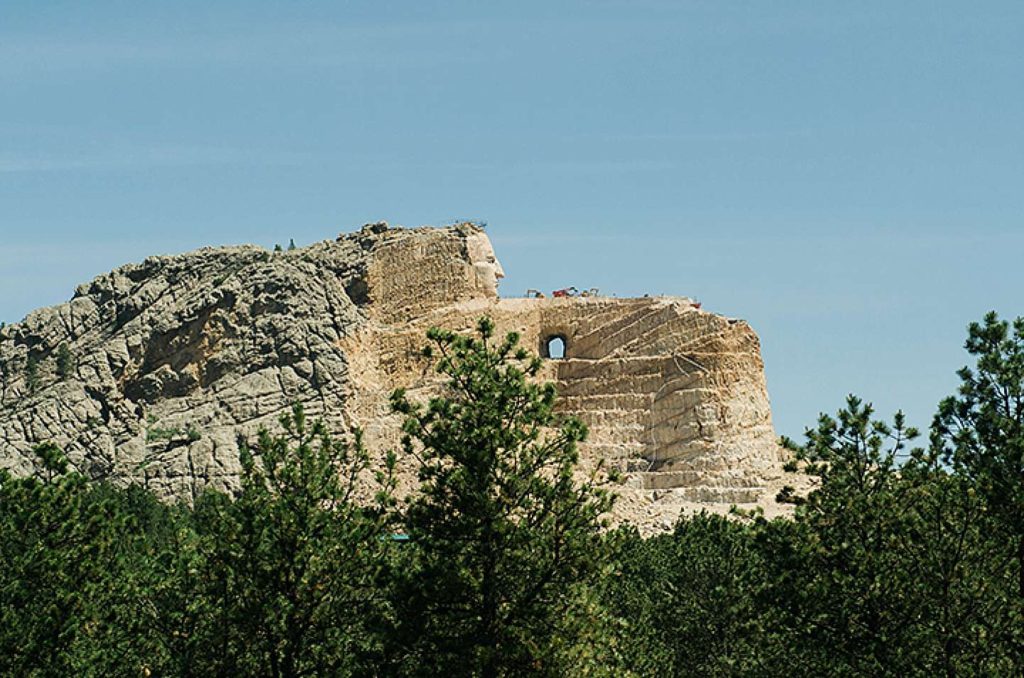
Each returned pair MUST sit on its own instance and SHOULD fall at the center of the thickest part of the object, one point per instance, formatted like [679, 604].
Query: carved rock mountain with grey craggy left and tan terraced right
[151, 372]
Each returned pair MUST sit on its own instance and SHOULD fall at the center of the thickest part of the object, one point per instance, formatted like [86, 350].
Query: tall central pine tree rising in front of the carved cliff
[504, 536]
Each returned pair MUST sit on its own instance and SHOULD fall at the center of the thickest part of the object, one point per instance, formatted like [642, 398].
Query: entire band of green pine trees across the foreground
[907, 559]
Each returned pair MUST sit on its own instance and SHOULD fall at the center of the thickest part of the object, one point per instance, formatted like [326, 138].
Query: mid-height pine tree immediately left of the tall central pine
[294, 560]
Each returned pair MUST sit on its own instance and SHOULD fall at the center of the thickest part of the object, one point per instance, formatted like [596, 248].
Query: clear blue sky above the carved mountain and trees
[849, 178]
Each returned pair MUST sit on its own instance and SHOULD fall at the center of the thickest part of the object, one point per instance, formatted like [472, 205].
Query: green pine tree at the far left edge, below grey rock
[66, 585]
